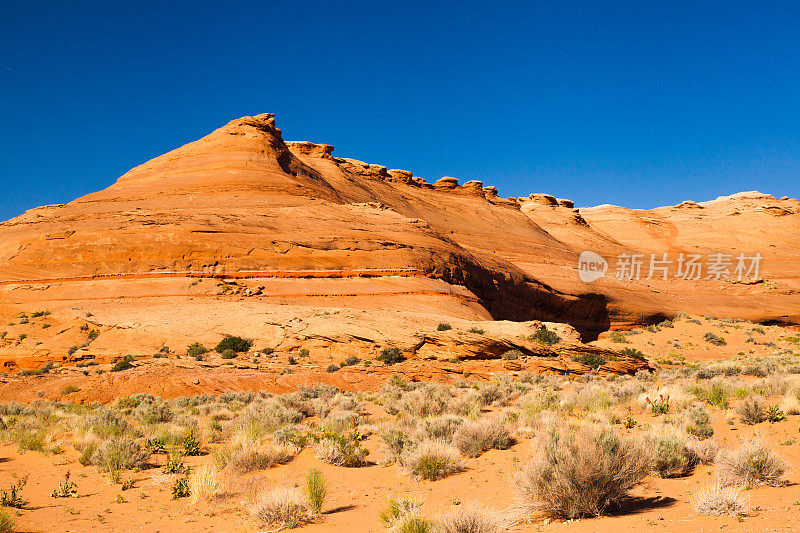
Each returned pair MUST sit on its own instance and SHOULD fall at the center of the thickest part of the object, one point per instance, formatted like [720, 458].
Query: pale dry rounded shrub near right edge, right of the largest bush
[750, 465]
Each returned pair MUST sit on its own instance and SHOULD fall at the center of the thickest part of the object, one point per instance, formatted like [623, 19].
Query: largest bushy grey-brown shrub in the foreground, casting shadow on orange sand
[581, 473]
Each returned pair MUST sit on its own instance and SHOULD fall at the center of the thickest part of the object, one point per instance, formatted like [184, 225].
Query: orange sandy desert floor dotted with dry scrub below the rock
[253, 442]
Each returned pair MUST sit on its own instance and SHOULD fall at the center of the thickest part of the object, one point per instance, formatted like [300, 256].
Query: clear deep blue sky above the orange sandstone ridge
[637, 103]
